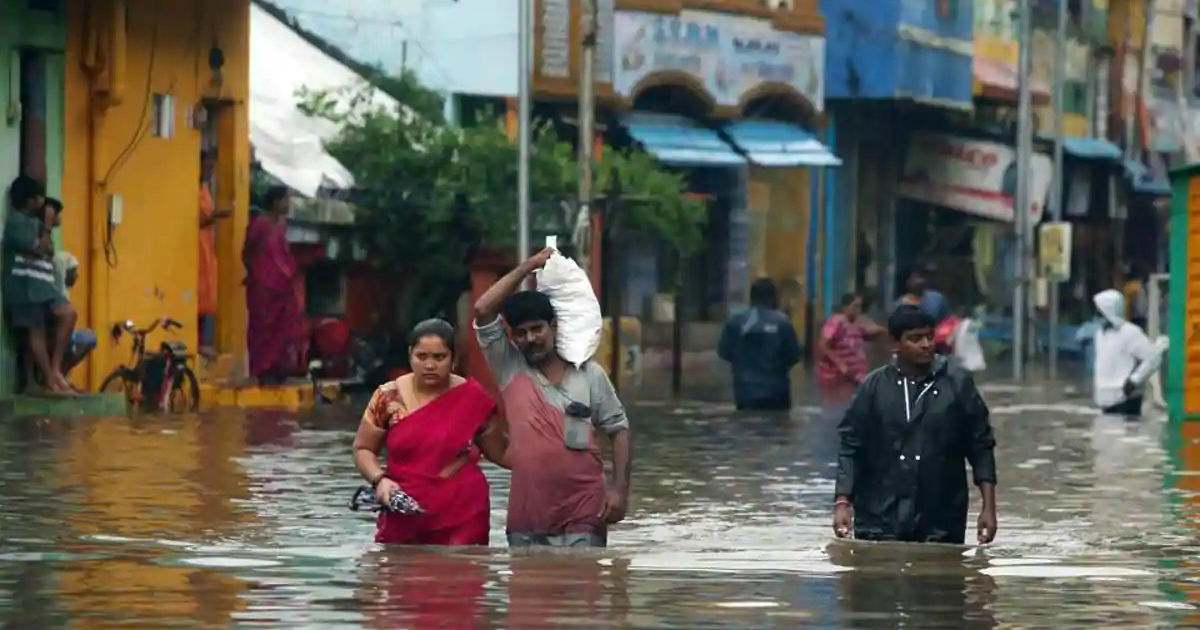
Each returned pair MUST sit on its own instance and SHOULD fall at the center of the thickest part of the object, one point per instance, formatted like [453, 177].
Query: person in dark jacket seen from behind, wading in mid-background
[761, 347]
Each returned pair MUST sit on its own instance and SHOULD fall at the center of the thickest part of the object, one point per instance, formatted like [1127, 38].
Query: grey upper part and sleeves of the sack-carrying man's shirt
[587, 386]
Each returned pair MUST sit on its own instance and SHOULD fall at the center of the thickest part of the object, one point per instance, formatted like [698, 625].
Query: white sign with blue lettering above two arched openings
[730, 56]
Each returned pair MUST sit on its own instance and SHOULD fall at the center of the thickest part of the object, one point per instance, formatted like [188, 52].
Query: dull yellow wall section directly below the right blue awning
[779, 199]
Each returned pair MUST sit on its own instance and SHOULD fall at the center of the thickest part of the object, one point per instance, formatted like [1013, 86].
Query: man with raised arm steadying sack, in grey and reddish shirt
[559, 496]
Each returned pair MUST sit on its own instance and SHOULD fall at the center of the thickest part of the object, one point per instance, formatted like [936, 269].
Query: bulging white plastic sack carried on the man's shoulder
[577, 309]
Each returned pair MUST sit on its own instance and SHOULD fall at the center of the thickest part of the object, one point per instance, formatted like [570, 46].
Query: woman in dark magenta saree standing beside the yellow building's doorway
[275, 331]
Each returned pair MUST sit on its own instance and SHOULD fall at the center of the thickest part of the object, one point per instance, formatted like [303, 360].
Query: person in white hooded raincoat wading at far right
[1125, 358]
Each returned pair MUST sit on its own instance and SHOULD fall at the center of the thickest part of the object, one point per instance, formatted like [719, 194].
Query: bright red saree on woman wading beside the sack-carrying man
[421, 447]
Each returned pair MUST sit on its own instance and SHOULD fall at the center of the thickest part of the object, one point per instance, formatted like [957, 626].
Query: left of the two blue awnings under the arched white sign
[677, 141]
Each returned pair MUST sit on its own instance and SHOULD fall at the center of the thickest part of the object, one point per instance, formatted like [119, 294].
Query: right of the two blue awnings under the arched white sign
[779, 145]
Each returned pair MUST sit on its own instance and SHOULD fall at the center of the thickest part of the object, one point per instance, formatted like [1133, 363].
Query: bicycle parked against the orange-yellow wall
[165, 375]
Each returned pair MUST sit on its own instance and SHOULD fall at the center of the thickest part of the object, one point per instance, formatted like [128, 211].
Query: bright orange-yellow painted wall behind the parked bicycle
[110, 151]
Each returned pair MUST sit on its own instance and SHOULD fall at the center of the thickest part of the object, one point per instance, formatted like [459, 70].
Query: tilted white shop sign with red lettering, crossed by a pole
[975, 177]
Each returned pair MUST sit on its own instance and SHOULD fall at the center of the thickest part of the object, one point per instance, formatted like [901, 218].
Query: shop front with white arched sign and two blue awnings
[731, 99]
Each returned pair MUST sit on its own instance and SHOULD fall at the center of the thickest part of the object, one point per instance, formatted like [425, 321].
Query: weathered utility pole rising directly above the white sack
[589, 20]
